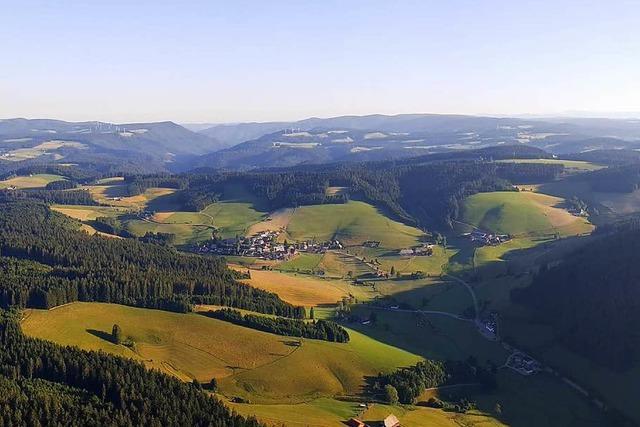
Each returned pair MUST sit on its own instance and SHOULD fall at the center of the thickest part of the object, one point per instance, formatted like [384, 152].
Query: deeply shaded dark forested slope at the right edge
[591, 299]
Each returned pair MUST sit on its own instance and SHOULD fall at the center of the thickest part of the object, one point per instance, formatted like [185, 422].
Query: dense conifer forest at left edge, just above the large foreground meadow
[46, 262]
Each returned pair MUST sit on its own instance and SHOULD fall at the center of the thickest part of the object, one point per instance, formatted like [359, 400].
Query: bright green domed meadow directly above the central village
[352, 223]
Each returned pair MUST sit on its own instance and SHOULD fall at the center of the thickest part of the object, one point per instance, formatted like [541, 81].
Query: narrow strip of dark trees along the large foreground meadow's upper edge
[320, 330]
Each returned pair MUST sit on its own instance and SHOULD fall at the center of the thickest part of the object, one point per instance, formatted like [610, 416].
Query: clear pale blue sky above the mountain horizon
[214, 61]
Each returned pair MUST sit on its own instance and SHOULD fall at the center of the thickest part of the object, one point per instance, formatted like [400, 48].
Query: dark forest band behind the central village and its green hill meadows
[426, 194]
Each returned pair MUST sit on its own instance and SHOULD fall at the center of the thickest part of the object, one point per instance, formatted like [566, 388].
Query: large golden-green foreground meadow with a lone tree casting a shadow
[262, 367]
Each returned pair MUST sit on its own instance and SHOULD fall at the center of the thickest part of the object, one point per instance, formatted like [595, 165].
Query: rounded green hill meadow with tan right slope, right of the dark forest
[521, 213]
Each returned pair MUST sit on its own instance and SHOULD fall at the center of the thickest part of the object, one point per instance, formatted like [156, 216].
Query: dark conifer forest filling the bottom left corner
[42, 383]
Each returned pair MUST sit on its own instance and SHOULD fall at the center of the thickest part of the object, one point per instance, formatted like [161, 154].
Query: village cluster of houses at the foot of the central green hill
[264, 245]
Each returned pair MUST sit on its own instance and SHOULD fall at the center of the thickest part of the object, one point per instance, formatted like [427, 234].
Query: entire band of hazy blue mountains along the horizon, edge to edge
[167, 146]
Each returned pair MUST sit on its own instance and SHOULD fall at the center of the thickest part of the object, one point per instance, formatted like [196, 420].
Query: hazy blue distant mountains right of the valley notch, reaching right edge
[379, 137]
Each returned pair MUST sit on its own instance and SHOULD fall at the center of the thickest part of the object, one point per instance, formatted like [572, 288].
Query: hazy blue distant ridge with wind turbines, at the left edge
[153, 145]
